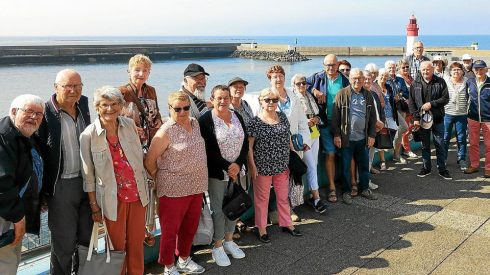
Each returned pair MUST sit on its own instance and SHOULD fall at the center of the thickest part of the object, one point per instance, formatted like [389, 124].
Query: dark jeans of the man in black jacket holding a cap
[437, 131]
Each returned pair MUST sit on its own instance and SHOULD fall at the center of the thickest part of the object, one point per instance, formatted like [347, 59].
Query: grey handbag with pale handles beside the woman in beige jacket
[91, 262]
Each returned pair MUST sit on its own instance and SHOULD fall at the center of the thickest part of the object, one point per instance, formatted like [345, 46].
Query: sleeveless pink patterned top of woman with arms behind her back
[182, 168]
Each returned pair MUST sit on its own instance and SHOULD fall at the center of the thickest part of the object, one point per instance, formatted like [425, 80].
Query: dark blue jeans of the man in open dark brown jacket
[358, 151]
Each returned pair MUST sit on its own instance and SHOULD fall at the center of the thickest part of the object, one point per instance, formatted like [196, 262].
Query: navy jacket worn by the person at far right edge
[479, 100]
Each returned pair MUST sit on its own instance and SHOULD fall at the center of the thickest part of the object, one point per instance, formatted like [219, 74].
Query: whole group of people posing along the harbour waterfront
[111, 169]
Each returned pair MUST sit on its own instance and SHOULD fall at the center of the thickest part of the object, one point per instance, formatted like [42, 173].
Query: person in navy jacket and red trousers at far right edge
[479, 117]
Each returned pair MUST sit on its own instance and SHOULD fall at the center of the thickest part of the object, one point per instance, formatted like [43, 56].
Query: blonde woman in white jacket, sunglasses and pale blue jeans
[298, 84]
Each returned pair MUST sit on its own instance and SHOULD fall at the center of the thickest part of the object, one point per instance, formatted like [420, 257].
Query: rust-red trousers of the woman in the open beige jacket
[128, 233]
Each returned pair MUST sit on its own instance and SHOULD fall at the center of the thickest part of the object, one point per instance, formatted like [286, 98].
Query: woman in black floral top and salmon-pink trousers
[269, 132]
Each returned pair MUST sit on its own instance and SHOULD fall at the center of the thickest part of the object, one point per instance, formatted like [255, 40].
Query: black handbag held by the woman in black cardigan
[236, 200]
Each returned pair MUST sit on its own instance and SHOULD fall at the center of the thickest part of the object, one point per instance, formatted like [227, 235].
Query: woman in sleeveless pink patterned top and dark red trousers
[177, 162]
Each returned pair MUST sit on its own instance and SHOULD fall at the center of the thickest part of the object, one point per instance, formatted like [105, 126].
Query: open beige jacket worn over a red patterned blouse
[98, 170]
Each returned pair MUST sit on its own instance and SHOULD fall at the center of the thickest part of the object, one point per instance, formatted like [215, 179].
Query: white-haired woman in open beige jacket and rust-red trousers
[114, 176]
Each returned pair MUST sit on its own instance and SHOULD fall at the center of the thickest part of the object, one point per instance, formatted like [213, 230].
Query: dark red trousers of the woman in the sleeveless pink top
[179, 218]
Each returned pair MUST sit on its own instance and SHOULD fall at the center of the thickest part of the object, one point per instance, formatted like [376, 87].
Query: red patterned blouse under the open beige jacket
[127, 191]
